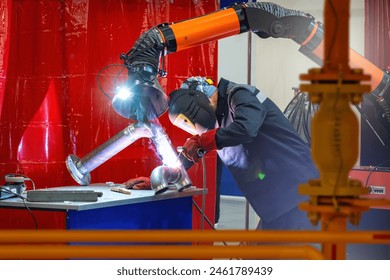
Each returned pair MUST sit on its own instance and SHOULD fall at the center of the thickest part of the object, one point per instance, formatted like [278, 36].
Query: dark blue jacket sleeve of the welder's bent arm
[248, 116]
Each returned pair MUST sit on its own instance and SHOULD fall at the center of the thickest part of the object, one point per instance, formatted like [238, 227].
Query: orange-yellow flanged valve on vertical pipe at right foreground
[335, 127]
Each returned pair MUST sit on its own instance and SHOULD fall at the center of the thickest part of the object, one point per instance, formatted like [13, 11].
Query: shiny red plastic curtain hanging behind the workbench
[51, 52]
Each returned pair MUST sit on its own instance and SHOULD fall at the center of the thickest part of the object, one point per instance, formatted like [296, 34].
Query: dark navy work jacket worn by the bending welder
[262, 150]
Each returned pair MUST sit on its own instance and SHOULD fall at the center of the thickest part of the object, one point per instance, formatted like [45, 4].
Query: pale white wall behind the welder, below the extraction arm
[277, 63]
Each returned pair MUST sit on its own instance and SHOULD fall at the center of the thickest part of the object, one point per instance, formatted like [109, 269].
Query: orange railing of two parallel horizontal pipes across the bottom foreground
[174, 244]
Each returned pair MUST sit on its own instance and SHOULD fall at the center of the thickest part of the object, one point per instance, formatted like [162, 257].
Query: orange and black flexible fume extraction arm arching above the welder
[145, 60]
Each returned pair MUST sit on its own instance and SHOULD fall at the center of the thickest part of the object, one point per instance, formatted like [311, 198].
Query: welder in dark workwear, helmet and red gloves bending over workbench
[254, 140]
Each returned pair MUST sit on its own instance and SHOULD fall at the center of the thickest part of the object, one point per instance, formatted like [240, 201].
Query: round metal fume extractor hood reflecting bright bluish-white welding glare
[142, 98]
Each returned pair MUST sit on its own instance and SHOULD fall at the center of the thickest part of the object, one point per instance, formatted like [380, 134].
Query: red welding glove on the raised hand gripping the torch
[197, 145]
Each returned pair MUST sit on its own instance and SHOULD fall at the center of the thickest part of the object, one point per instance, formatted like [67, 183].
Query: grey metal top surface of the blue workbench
[108, 199]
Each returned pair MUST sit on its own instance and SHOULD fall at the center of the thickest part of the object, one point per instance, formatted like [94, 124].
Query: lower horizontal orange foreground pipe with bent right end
[157, 252]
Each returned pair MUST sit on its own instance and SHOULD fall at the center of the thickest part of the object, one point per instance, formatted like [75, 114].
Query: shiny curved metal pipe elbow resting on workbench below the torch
[162, 176]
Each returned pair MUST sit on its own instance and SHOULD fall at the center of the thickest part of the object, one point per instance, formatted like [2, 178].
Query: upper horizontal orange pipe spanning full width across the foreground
[180, 236]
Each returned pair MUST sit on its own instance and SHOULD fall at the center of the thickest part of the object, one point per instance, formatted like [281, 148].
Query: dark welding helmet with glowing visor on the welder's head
[189, 107]
